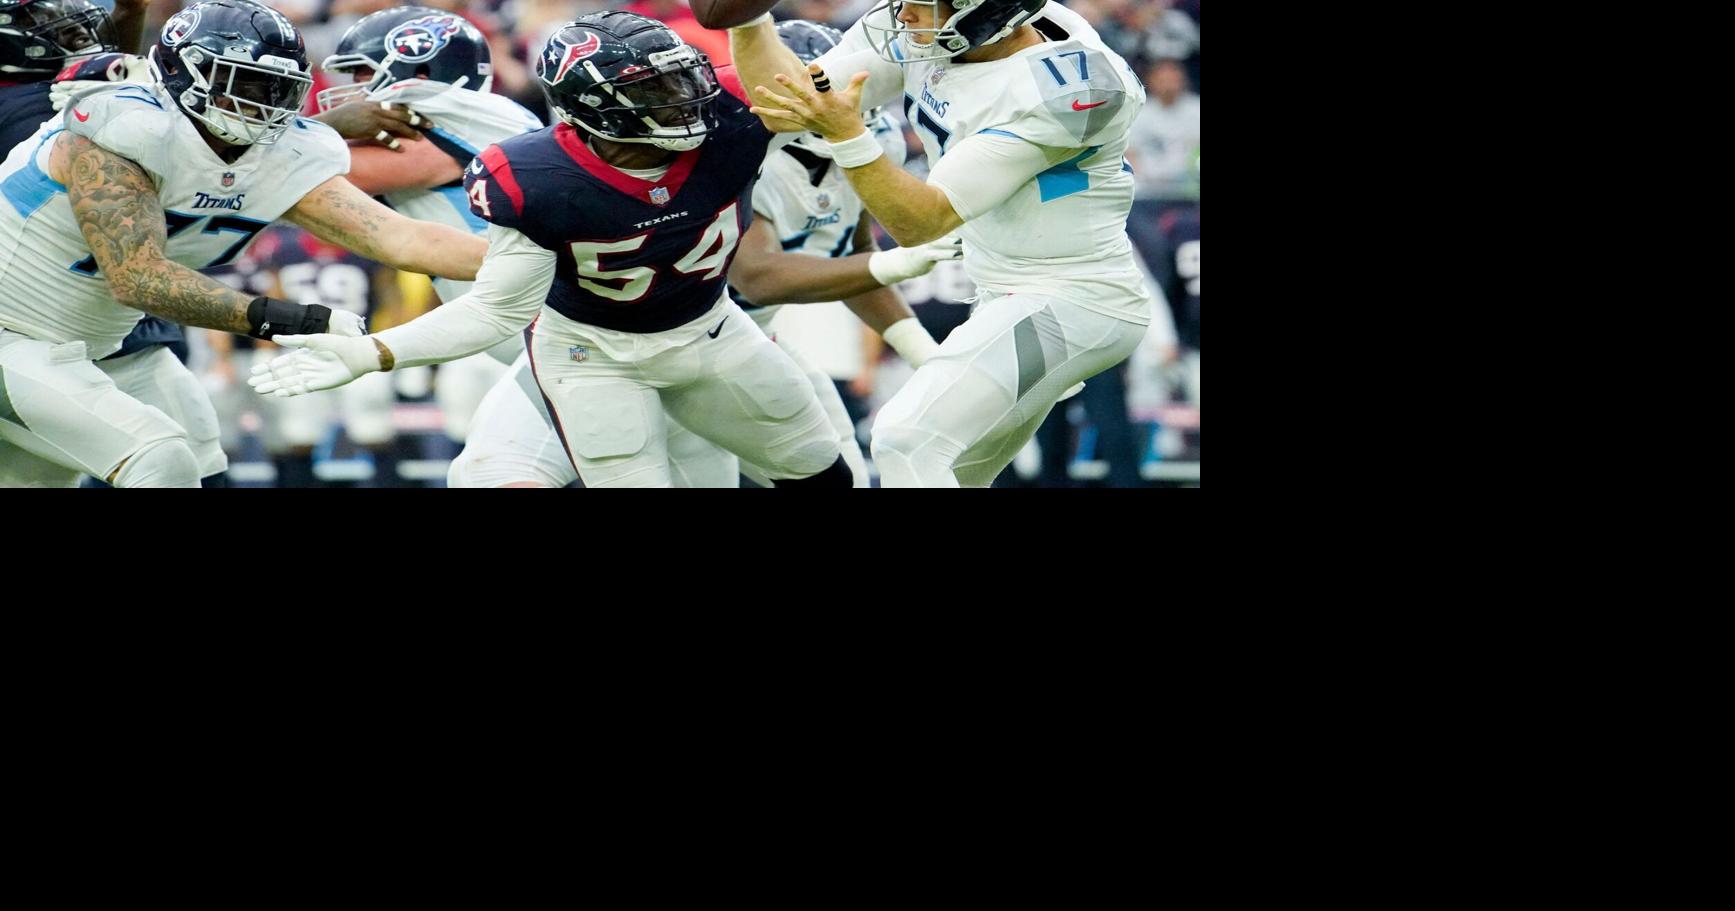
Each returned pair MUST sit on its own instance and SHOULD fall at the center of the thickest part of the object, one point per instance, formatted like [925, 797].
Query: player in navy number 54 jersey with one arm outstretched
[622, 225]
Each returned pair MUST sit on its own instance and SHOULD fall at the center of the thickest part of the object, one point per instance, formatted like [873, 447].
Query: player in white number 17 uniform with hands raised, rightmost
[1025, 115]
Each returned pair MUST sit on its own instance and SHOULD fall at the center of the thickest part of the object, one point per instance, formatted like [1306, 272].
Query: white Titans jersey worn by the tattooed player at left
[49, 282]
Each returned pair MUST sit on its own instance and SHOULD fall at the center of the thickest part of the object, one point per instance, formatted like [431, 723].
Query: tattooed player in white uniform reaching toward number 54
[114, 207]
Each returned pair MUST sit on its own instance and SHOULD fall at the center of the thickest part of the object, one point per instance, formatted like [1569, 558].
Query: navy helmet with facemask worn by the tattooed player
[235, 67]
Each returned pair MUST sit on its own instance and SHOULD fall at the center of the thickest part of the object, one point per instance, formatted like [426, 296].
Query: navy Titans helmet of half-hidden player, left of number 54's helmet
[405, 44]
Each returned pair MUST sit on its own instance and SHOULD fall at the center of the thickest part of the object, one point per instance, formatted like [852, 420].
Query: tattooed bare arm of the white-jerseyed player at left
[122, 221]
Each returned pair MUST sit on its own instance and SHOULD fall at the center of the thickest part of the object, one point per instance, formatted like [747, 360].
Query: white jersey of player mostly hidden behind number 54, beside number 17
[815, 220]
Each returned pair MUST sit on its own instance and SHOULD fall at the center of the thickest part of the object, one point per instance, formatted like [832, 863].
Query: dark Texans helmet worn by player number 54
[629, 79]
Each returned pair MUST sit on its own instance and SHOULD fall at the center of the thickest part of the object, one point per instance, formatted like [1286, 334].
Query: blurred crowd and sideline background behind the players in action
[1136, 426]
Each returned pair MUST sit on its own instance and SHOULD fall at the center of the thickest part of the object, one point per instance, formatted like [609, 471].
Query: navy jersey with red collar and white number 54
[634, 256]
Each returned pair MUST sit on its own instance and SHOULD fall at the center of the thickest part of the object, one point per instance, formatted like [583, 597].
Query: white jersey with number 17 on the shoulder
[1063, 233]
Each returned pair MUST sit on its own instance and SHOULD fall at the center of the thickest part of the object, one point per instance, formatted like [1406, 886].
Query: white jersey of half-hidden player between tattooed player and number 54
[464, 121]
